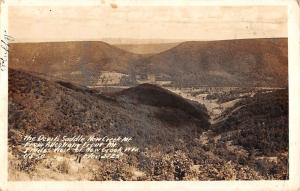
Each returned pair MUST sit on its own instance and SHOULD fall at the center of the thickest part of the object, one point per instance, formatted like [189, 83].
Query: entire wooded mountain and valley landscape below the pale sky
[211, 110]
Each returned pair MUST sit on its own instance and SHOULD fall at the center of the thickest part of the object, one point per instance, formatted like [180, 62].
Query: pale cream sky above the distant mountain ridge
[145, 24]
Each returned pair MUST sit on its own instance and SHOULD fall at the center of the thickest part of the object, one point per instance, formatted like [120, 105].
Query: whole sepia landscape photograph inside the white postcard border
[135, 92]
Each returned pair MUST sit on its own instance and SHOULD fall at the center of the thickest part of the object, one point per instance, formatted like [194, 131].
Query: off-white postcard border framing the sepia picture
[294, 121]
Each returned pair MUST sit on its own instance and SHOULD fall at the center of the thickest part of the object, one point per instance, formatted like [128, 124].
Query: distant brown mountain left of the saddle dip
[79, 62]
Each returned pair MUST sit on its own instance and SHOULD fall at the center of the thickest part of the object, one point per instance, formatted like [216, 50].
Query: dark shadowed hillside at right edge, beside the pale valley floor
[259, 123]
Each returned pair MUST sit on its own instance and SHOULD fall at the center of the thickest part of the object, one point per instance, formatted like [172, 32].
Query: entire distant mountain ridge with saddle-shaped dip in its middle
[248, 62]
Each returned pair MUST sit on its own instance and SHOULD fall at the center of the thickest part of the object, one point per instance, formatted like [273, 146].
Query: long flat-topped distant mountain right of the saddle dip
[249, 62]
